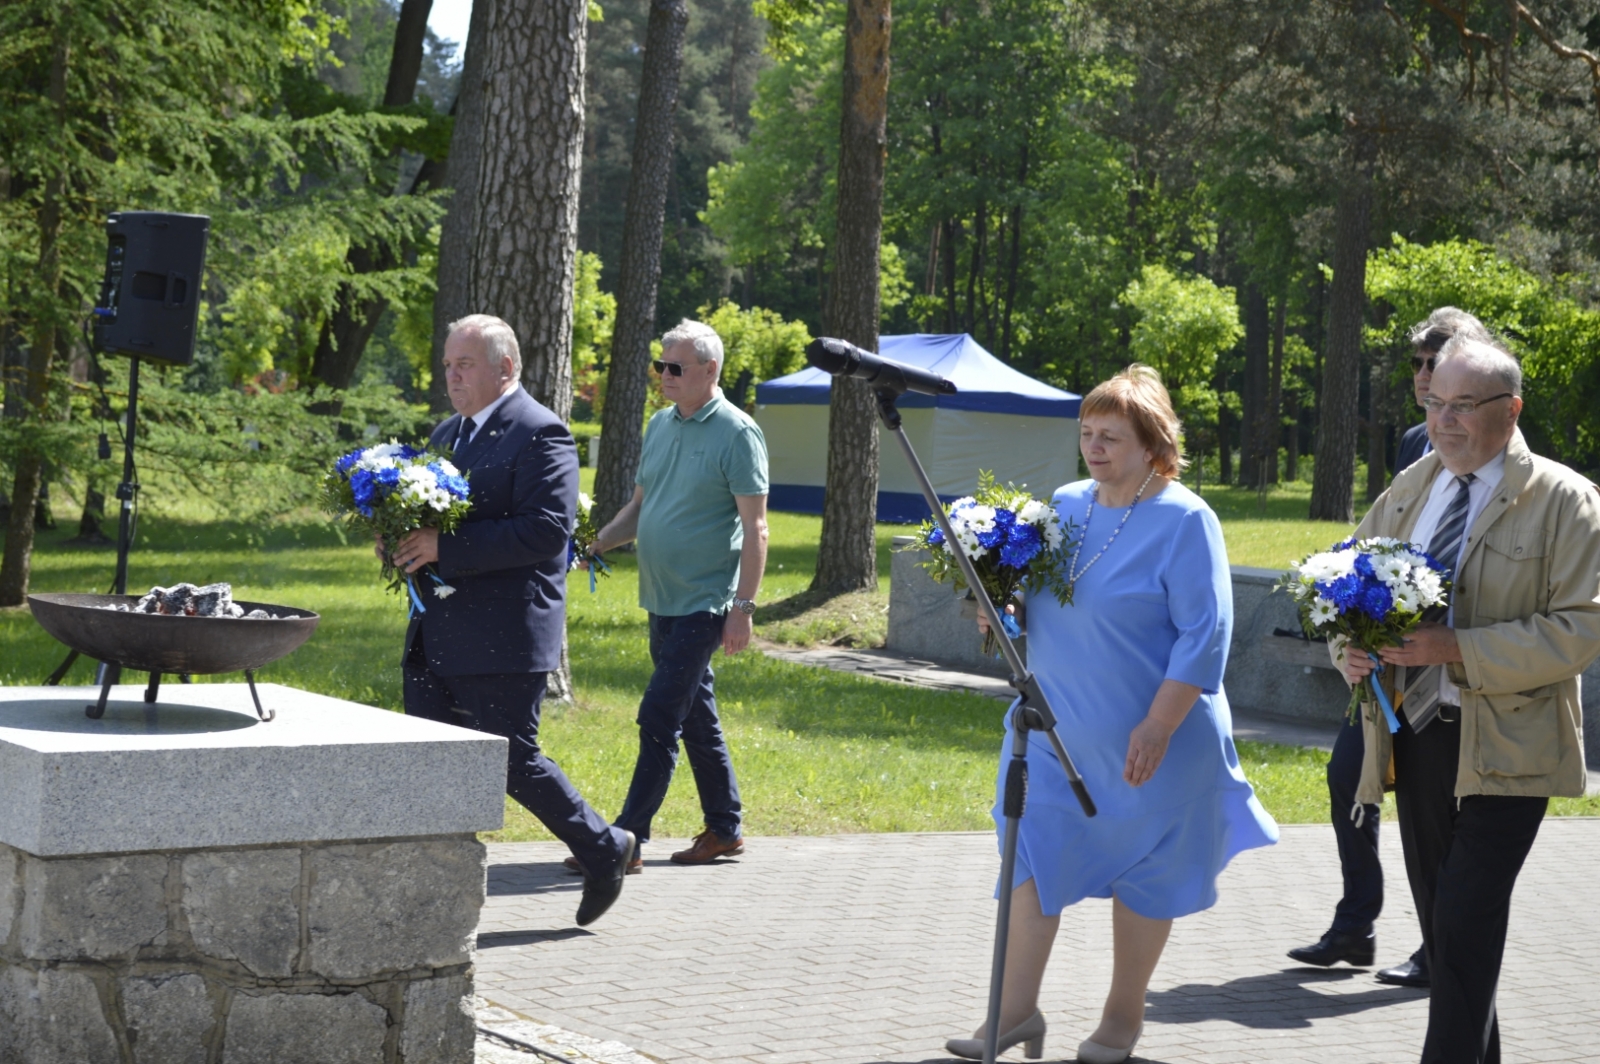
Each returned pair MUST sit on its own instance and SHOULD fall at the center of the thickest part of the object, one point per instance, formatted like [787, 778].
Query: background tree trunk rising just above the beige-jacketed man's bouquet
[1334, 479]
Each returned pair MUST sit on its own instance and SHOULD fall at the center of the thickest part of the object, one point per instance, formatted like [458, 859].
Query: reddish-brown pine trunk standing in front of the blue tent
[847, 558]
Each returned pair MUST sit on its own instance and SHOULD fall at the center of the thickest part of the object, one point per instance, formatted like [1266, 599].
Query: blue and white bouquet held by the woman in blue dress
[1015, 542]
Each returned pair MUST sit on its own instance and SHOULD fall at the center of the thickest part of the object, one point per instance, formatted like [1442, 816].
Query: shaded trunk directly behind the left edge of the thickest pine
[454, 295]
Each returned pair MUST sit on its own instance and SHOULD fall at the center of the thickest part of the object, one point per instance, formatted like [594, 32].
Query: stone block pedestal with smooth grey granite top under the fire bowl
[185, 884]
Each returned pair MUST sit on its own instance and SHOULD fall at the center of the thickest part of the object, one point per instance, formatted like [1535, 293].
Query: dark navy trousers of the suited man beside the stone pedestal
[508, 705]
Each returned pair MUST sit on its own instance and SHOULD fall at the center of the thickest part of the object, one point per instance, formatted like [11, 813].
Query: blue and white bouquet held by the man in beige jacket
[1372, 593]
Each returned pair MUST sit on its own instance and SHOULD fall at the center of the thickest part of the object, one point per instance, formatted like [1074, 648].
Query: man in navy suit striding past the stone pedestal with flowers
[481, 657]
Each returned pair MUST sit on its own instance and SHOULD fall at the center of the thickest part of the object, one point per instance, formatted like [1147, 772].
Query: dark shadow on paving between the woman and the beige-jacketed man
[1274, 999]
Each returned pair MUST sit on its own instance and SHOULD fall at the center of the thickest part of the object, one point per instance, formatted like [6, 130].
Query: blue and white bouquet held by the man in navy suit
[390, 490]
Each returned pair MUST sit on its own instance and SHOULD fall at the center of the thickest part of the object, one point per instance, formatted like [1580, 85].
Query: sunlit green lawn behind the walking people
[817, 751]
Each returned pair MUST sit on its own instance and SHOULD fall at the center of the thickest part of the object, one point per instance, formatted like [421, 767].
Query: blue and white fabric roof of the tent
[983, 382]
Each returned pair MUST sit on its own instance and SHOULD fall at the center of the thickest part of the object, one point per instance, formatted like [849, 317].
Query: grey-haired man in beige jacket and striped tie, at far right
[1492, 722]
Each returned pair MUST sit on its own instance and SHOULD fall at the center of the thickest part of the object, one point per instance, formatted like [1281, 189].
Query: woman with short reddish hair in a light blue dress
[1134, 671]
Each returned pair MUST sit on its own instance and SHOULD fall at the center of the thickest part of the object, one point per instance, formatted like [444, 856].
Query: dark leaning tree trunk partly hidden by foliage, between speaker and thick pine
[345, 335]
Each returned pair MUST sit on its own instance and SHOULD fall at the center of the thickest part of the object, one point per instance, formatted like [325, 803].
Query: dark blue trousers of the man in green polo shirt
[679, 703]
